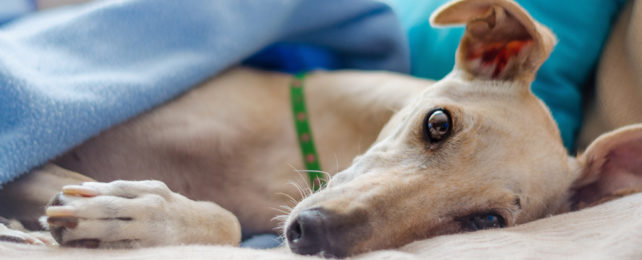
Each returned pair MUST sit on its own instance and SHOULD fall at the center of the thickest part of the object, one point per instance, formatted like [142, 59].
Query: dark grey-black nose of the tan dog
[309, 234]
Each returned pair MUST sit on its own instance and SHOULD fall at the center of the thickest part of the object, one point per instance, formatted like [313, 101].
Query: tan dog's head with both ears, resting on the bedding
[476, 150]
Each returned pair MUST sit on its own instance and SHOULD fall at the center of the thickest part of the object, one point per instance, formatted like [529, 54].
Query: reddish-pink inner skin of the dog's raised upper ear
[495, 56]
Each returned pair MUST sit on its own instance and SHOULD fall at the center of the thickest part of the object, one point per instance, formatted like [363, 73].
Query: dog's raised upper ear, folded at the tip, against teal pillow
[502, 41]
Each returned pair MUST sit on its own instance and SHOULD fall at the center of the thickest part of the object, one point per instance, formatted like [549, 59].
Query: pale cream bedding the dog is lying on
[612, 230]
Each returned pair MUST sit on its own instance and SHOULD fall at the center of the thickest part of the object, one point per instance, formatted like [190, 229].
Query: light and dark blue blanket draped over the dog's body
[67, 74]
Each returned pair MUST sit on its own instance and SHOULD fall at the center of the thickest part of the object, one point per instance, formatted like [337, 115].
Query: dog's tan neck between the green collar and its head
[348, 110]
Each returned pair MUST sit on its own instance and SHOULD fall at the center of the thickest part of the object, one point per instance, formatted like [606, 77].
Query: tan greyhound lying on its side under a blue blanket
[475, 150]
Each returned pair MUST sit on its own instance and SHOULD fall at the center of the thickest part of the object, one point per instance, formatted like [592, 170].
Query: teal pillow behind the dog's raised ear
[581, 26]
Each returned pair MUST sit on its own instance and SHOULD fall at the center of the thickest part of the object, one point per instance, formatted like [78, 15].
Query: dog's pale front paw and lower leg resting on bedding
[136, 214]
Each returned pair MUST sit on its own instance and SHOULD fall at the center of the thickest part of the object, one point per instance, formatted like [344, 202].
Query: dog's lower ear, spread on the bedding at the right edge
[611, 167]
